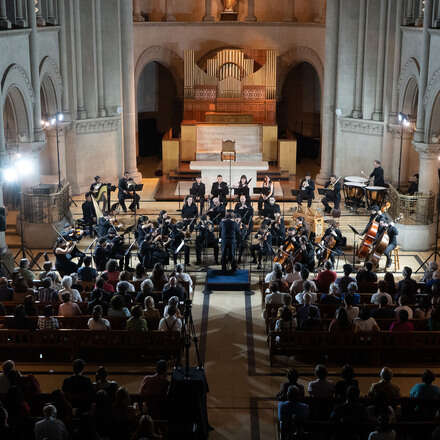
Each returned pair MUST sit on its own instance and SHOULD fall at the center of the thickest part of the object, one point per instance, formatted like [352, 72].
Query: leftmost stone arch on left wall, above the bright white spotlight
[17, 89]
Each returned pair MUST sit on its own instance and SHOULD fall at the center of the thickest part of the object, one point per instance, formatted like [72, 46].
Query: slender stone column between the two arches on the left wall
[35, 71]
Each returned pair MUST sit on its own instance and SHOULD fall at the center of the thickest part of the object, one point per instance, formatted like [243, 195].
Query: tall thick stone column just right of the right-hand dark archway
[329, 96]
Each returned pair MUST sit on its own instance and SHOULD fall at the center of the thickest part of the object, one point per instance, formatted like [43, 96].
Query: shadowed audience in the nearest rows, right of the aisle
[352, 416]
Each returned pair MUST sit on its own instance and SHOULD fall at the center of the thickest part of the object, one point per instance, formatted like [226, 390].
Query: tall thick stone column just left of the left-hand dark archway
[128, 88]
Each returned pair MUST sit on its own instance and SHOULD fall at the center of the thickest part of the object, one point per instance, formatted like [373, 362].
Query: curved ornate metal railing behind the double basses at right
[417, 209]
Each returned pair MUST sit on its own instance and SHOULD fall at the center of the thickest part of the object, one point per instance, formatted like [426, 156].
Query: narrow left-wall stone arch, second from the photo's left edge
[51, 85]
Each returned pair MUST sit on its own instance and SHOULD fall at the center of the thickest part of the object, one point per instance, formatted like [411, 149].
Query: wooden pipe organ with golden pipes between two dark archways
[231, 81]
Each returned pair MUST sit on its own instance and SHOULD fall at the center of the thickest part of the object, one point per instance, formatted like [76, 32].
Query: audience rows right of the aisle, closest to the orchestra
[296, 302]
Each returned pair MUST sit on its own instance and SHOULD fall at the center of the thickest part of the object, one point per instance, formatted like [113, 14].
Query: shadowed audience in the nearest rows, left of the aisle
[82, 409]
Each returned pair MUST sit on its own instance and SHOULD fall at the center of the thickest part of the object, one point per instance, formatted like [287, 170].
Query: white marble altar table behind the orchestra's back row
[210, 170]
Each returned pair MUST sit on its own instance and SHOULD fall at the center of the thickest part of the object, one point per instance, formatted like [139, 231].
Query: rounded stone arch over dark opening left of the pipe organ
[167, 58]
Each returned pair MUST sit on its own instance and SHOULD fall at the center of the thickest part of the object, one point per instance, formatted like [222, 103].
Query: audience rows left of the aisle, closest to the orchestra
[145, 302]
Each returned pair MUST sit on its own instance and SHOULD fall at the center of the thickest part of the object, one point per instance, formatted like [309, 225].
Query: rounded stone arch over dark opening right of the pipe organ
[295, 56]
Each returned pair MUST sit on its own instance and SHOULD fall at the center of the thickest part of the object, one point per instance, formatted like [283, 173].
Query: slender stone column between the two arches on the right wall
[419, 135]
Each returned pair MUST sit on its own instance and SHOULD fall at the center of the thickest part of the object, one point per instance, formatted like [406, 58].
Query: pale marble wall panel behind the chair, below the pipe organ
[248, 140]
